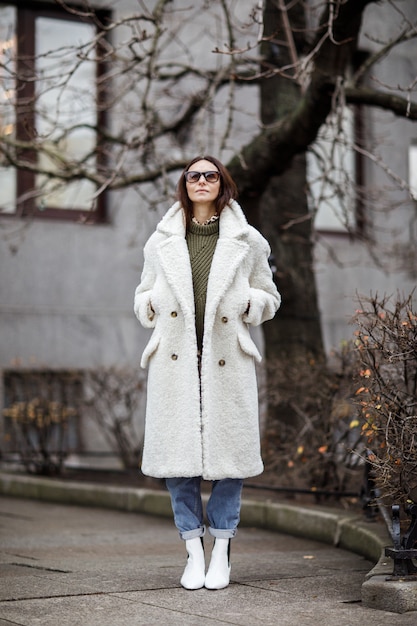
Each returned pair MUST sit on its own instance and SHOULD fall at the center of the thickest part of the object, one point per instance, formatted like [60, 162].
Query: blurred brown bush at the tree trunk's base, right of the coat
[313, 435]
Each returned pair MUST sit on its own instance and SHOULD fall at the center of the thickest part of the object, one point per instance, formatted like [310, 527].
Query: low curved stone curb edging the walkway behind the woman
[341, 529]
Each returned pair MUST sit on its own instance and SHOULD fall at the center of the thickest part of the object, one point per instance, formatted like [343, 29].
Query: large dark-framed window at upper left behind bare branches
[50, 111]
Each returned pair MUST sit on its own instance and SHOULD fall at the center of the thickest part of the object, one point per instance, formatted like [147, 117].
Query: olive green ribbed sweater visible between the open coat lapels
[201, 242]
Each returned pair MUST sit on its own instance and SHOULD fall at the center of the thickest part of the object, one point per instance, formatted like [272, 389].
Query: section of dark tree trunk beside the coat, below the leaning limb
[295, 332]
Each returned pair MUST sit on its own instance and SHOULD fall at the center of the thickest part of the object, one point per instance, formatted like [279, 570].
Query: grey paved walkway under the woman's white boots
[68, 565]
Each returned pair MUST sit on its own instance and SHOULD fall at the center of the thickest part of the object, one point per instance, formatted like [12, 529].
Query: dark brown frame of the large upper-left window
[26, 14]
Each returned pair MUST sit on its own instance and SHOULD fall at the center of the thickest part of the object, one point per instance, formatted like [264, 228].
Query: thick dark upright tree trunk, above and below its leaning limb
[281, 213]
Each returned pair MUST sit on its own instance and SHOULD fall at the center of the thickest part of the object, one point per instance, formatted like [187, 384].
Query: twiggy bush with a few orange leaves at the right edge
[387, 392]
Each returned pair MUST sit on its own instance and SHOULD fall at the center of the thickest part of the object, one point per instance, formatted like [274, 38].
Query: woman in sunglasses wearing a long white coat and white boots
[205, 279]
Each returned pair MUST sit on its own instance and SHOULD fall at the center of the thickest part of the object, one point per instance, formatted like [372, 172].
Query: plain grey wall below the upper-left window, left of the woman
[67, 293]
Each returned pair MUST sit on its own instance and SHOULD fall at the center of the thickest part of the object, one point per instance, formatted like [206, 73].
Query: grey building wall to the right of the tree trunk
[389, 265]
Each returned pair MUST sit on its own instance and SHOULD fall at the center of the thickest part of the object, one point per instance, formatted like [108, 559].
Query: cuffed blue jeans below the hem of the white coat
[223, 507]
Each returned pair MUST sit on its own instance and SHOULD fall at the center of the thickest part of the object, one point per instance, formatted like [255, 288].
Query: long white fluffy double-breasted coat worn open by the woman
[213, 430]
